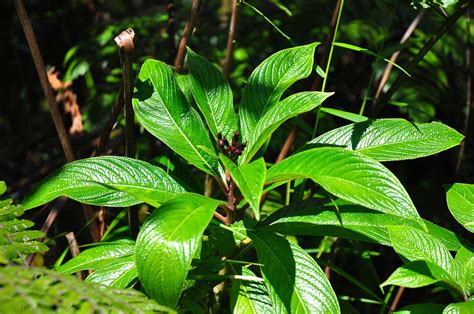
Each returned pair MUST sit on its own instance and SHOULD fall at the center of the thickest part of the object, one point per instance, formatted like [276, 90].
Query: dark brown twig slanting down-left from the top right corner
[380, 103]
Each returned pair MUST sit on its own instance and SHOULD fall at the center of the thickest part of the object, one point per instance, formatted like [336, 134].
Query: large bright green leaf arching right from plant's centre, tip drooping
[350, 176]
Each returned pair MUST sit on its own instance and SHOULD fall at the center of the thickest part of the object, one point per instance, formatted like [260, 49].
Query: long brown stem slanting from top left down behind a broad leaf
[48, 93]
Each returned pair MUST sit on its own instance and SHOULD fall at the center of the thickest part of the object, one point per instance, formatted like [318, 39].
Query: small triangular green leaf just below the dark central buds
[250, 179]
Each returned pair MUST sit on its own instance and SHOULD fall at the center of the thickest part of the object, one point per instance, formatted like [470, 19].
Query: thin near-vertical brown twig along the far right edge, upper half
[467, 112]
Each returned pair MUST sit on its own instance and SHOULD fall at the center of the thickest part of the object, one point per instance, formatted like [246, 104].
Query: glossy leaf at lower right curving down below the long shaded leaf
[416, 245]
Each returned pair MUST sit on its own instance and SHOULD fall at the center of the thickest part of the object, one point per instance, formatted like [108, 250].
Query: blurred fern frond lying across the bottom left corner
[38, 290]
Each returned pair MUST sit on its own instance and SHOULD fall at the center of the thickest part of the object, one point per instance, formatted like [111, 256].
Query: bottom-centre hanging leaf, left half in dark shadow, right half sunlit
[295, 281]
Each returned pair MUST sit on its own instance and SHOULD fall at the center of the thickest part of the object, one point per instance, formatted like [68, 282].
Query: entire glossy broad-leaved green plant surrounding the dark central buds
[191, 243]
